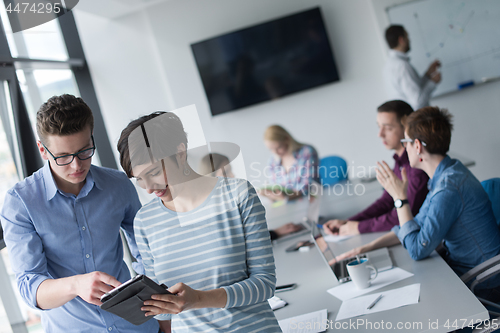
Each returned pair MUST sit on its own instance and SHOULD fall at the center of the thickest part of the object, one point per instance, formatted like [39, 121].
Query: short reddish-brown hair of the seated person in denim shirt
[431, 125]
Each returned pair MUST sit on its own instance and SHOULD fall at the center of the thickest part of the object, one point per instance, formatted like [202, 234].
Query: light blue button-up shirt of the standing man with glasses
[51, 234]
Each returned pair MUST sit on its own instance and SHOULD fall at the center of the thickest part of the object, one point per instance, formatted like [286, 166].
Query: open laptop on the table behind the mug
[379, 258]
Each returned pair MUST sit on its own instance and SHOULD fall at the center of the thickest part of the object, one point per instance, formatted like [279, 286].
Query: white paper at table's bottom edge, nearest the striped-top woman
[307, 323]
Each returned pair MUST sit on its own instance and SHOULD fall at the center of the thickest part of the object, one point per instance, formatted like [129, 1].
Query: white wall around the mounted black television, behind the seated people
[142, 62]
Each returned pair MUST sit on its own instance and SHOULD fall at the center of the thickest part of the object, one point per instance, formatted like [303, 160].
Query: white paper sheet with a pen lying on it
[391, 299]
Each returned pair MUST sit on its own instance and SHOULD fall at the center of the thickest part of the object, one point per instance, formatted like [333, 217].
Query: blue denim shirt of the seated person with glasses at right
[458, 211]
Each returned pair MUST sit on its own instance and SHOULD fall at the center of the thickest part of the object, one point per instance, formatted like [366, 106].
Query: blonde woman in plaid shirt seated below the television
[293, 166]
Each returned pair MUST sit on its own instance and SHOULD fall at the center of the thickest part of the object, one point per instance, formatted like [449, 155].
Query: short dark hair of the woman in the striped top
[163, 136]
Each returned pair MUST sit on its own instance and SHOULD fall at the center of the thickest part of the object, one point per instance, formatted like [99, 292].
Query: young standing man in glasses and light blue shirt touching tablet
[62, 226]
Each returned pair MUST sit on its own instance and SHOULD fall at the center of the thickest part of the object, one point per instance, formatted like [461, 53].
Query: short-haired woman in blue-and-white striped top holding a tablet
[204, 237]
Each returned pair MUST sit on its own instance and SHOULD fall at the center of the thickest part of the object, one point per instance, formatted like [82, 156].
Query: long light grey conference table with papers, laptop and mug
[445, 302]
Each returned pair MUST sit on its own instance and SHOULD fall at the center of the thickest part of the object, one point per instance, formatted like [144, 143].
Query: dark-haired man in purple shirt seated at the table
[381, 215]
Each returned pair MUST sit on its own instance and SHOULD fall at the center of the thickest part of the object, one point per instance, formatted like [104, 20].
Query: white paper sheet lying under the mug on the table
[348, 290]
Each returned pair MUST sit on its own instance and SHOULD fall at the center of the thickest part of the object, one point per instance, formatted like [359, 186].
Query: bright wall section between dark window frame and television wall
[125, 68]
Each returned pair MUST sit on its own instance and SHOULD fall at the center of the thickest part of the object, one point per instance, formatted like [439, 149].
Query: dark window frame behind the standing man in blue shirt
[21, 130]
